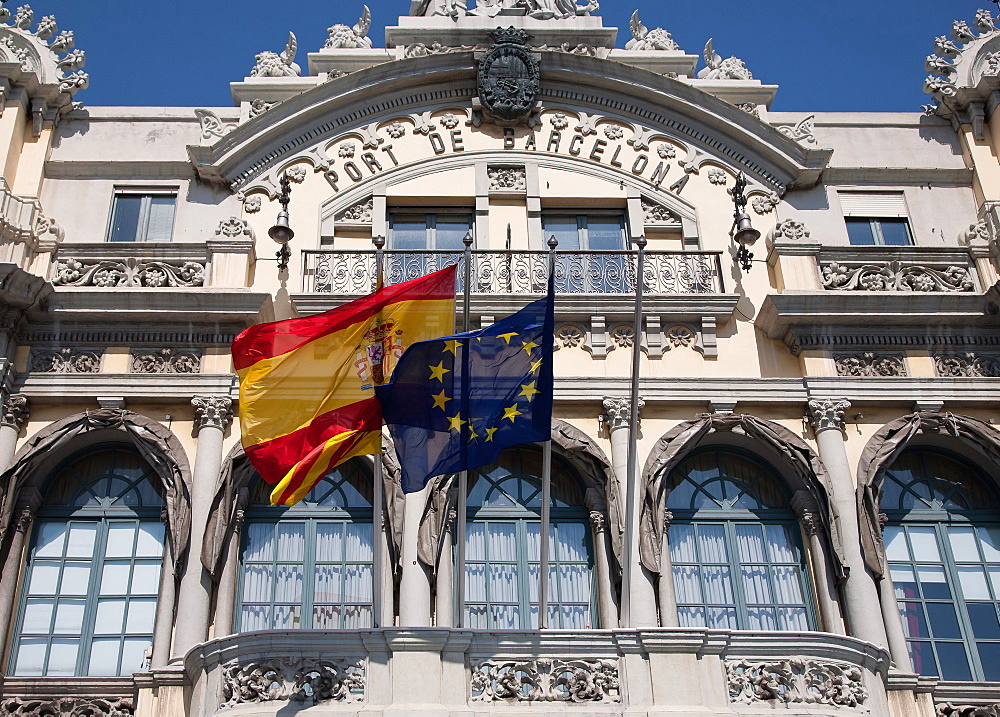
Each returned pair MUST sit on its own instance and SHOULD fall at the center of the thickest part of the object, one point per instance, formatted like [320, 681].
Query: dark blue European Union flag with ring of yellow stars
[454, 403]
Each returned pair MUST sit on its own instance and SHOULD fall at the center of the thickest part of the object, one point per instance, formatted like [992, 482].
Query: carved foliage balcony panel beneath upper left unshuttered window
[107, 274]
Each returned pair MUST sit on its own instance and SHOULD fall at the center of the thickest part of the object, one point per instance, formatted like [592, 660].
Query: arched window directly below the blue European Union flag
[502, 546]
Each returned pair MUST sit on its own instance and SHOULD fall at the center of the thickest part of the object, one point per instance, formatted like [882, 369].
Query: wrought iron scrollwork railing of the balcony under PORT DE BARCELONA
[521, 272]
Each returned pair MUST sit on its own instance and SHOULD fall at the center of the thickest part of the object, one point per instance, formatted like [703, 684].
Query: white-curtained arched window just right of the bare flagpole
[735, 547]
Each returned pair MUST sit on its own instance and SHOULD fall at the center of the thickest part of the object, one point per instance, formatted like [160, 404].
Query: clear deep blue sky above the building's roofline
[827, 55]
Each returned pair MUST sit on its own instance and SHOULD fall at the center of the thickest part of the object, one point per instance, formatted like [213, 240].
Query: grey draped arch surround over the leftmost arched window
[34, 463]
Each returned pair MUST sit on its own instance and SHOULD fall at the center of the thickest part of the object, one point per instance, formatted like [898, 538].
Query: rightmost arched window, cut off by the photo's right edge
[942, 542]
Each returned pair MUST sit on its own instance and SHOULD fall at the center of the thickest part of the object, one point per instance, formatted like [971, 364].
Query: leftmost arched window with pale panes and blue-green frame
[89, 599]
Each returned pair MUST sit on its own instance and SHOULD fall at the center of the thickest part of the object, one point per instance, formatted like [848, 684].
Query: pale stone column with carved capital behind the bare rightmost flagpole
[642, 596]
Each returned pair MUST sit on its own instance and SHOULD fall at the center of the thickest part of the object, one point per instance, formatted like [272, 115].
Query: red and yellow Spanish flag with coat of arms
[307, 385]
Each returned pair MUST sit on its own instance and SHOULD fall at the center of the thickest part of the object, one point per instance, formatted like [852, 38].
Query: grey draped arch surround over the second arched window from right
[789, 455]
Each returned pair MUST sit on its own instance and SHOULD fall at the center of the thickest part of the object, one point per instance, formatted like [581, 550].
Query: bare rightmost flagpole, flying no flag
[631, 487]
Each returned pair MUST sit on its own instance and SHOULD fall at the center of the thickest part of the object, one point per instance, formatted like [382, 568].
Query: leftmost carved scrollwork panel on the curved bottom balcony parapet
[290, 680]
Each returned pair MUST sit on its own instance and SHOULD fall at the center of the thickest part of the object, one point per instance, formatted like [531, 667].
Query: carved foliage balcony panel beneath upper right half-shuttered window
[893, 276]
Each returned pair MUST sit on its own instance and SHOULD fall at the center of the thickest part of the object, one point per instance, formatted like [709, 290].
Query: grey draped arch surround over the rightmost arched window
[971, 438]
